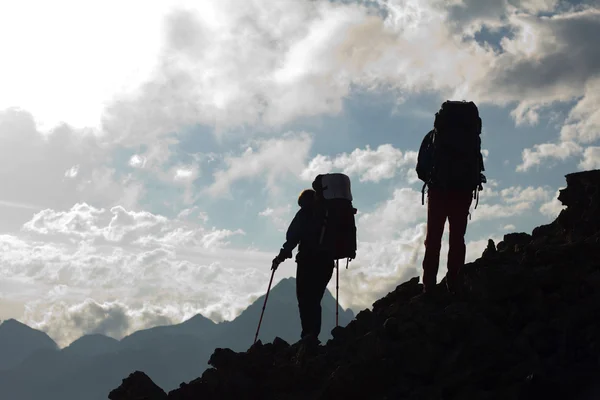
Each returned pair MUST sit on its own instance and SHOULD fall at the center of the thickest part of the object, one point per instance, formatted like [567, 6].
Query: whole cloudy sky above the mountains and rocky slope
[152, 152]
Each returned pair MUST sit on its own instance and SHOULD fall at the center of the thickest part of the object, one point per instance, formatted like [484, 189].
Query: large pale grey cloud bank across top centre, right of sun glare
[271, 63]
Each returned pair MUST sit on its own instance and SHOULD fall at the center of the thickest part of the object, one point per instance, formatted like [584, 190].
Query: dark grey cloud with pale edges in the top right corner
[548, 59]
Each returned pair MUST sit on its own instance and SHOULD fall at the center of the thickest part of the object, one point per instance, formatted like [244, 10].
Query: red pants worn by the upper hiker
[453, 205]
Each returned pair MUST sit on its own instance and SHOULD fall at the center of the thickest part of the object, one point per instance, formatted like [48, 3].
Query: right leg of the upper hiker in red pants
[458, 214]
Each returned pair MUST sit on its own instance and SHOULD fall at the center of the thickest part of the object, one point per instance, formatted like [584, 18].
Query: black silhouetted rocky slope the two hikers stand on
[525, 325]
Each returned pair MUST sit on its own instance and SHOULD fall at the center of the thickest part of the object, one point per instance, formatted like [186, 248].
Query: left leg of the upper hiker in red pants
[436, 219]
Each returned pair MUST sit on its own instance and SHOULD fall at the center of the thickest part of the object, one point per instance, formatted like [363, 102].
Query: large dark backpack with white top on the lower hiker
[338, 231]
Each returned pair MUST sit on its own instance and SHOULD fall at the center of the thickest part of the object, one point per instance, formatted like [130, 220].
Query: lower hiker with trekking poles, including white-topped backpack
[324, 231]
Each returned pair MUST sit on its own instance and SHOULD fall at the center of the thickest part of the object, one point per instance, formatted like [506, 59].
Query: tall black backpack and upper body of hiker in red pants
[450, 154]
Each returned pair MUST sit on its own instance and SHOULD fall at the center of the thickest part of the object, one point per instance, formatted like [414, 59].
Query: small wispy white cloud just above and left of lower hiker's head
[273, 159]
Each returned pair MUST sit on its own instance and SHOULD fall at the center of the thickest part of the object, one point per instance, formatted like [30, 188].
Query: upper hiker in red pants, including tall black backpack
[450, 164]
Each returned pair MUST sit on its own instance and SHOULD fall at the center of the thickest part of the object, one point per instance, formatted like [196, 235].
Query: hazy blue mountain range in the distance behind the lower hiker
[94, 364]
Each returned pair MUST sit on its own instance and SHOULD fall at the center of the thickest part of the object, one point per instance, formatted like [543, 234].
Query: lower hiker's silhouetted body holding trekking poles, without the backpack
[314, 267]
